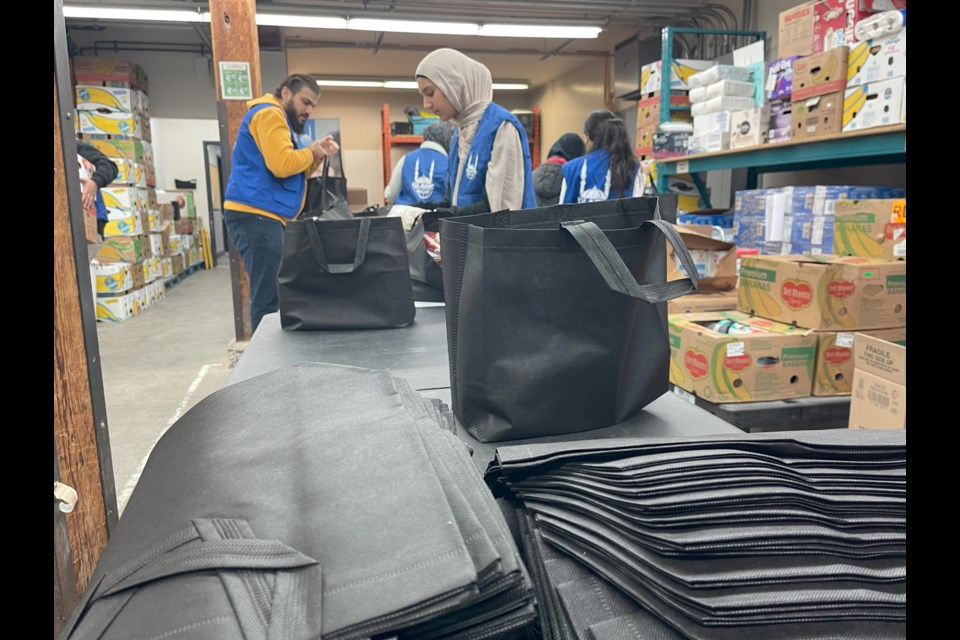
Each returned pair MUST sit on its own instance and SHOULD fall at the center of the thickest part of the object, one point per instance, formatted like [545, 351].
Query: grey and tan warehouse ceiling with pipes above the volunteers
[535, 60]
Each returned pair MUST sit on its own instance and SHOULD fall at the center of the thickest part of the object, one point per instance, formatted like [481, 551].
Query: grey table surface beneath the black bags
[419, 354]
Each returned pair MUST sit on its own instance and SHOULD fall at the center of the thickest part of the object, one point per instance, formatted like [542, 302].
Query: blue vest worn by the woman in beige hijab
[473, 179]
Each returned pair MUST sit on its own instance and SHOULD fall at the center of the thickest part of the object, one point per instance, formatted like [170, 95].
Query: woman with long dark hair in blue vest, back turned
[610, 170]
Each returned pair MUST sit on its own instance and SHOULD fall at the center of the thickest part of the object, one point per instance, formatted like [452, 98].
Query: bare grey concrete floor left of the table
[158, 364]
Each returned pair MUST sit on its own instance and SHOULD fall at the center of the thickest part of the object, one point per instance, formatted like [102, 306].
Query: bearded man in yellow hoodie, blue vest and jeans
[268, 182]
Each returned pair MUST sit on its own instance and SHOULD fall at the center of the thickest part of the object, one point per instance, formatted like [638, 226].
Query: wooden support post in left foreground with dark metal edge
[81, 442]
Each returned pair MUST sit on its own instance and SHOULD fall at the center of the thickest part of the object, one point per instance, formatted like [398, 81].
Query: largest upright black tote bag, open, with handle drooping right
[556, 317]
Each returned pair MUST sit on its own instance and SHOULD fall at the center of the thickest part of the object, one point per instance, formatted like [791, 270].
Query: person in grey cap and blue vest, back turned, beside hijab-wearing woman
[421, 175]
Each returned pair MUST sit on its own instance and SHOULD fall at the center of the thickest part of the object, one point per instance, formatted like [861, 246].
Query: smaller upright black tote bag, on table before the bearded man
[344, 274]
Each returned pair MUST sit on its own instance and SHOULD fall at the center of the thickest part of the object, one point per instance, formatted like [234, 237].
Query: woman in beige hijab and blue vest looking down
[489, 166]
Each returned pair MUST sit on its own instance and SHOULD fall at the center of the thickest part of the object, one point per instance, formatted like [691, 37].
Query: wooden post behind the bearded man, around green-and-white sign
[233, 30]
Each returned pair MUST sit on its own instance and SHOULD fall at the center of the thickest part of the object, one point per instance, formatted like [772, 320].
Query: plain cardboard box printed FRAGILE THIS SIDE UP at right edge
[879, 394]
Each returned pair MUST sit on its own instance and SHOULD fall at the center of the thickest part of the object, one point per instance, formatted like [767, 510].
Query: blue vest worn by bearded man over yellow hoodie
[251, 183]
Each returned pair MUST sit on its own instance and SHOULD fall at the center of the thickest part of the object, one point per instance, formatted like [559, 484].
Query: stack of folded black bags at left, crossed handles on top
[316, 501]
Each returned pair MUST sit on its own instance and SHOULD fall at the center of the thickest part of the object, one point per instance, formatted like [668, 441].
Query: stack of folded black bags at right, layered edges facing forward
[775, 535]
